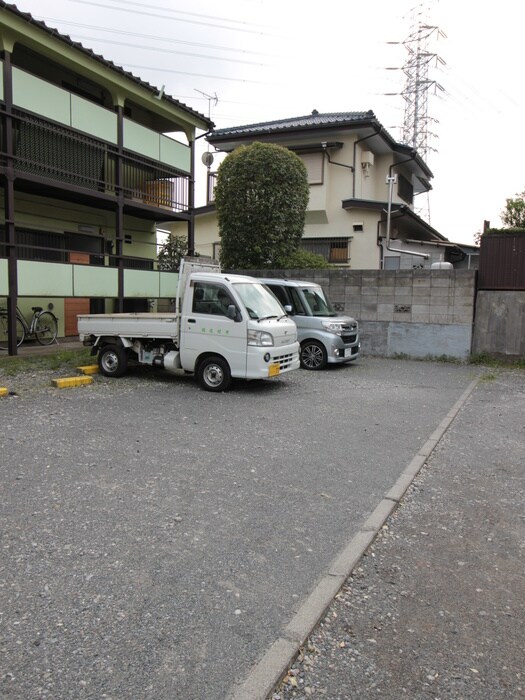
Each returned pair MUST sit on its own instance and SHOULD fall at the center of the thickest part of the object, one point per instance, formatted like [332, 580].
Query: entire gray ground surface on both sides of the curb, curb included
[167, 543]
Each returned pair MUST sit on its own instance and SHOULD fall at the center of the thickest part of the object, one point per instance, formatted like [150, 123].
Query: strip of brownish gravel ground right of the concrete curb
[436, 607]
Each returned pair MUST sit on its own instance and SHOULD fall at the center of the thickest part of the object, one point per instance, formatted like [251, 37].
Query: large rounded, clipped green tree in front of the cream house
[261, 195]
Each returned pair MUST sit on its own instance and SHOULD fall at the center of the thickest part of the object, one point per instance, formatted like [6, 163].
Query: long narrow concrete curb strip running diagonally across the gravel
[266, 674]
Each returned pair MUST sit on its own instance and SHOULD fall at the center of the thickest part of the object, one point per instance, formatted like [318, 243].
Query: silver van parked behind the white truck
[324, 335]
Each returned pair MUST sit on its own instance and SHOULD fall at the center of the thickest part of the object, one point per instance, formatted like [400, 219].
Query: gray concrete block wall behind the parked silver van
[418, 313]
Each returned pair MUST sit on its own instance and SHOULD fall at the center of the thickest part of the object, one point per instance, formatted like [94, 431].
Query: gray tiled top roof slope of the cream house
[313, 120]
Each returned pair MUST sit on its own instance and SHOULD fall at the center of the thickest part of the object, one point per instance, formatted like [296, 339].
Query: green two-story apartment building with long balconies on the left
[93, 160]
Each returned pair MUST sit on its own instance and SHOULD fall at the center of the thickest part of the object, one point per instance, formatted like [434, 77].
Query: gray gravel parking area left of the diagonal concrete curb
[156, 538]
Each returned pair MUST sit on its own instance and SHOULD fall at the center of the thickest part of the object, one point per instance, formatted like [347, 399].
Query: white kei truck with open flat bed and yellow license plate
[224, 326]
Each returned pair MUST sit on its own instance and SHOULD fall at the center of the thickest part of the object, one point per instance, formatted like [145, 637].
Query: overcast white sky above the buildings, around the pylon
[272, 59]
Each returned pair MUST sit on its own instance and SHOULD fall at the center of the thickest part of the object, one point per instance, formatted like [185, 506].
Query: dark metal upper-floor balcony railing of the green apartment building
[62, 155]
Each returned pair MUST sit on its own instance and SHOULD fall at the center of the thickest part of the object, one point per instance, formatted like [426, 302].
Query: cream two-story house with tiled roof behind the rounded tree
[363, 191]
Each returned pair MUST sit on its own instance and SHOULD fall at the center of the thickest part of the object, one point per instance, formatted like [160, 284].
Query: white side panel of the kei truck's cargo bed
[131, 325]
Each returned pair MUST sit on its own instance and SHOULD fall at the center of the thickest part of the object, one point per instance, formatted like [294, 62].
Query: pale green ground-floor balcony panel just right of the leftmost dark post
[44, 279]
